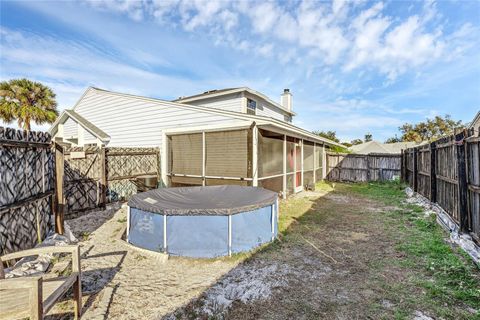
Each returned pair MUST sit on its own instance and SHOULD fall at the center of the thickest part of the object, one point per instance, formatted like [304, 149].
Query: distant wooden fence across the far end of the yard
[362, 168]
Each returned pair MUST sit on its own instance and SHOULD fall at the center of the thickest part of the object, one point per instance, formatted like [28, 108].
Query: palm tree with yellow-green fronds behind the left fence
[25, 101]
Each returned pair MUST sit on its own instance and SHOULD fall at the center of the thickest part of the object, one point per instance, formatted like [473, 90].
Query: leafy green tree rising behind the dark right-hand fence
[429, 130]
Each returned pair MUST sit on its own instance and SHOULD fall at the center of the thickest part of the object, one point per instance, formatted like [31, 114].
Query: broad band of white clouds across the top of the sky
[350, 34]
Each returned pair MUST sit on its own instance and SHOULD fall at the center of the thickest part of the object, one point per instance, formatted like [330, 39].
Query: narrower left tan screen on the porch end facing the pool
[186, 154]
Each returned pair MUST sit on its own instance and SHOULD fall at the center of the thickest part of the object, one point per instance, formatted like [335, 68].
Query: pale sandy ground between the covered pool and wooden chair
[121, 282]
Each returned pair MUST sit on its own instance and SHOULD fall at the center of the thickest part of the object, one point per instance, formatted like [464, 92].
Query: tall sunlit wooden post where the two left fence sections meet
[59, 197]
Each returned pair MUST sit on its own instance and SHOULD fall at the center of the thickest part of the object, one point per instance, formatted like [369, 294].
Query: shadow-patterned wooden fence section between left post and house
[94, 176]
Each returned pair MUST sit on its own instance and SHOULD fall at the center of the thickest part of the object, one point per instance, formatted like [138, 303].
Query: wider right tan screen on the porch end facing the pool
[227, 153]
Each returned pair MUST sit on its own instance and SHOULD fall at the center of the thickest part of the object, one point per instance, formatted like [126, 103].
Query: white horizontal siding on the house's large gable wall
[131, 121]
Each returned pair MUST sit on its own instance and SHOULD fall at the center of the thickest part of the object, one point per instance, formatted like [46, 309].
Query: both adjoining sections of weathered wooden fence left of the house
[40, 179]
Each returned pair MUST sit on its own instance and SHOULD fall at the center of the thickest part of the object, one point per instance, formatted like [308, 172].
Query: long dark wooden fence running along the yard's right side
[447, 172]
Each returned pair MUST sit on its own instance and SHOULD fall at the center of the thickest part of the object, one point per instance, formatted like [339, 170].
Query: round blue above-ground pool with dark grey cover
[205, 222]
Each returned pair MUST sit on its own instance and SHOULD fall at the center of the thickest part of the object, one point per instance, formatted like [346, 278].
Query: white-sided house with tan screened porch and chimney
[229, 136]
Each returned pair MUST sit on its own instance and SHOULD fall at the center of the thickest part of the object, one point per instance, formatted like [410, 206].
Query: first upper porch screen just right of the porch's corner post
[270, 154]
